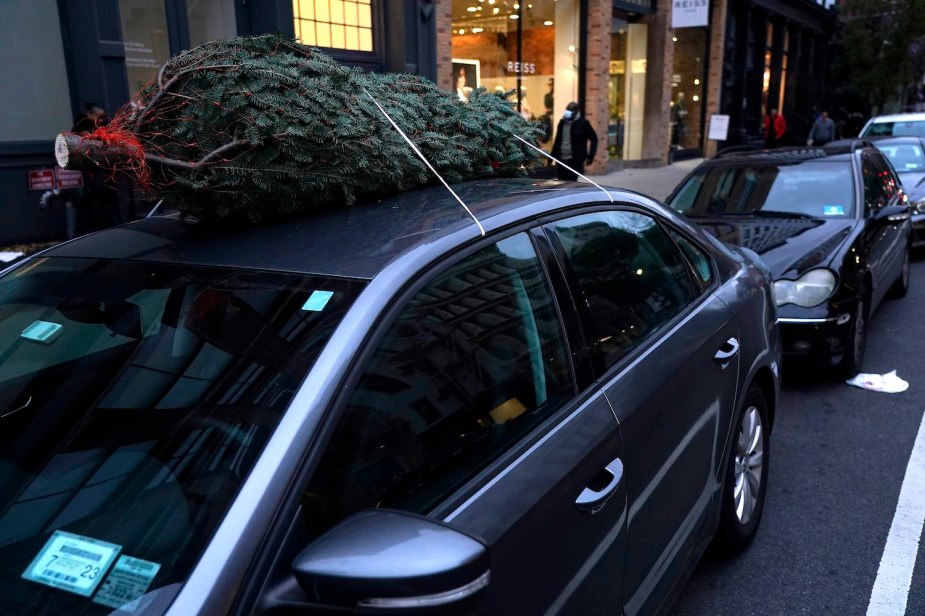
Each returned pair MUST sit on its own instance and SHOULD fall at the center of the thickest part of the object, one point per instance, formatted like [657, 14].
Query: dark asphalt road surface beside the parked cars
[838, 458]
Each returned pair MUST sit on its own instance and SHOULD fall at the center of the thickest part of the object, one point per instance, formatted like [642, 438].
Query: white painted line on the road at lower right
[894, 577]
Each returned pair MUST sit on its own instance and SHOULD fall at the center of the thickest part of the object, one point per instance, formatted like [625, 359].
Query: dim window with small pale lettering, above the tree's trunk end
[144, 34]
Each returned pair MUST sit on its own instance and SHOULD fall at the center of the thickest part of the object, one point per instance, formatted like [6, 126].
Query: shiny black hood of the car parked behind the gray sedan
[789, 246]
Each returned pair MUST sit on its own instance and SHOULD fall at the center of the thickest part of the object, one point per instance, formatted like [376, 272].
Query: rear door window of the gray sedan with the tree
[632, 275]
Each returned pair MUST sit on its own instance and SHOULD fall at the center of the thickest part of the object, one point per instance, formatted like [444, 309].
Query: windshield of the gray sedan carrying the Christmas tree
[134, 400]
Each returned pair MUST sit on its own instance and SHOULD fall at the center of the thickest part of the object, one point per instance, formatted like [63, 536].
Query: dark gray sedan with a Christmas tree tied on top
[384, 410]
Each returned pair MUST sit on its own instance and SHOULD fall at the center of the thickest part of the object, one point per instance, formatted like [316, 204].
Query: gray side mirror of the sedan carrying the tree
[381, 560]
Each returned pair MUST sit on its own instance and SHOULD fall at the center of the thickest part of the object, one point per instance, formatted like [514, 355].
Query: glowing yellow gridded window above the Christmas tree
[338, 24]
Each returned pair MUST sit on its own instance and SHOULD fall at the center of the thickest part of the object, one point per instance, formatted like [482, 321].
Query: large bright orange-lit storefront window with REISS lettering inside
[485, 52]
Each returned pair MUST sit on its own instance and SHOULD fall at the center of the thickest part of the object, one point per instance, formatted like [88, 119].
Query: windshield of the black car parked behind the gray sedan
[816, 189]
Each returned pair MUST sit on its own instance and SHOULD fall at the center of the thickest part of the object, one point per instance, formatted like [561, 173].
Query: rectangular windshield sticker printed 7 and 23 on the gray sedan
[73, 563]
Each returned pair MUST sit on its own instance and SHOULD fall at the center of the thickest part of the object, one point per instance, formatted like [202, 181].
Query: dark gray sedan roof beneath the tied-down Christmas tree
[356, 241]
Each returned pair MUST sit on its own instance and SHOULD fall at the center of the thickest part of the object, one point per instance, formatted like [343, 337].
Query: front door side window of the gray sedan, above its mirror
[471, 364]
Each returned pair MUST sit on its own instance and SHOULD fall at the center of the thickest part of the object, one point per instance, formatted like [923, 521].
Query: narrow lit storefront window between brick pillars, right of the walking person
[628, 67]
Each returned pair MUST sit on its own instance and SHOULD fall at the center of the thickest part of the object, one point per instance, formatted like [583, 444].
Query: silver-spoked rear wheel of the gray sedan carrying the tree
[746, 476]
